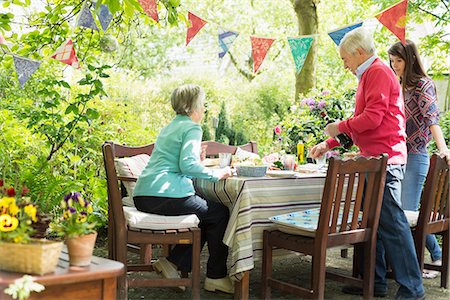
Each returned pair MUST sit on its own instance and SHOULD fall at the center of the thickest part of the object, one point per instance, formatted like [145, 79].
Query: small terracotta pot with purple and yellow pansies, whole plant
[77, 226]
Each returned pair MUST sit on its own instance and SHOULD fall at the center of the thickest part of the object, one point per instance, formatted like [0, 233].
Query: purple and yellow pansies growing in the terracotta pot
[77, 217]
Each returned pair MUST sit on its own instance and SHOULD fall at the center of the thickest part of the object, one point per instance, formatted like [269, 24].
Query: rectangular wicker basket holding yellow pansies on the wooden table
[40, 256]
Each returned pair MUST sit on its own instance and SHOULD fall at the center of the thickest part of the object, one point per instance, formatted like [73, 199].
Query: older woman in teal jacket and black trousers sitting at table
[165, 187]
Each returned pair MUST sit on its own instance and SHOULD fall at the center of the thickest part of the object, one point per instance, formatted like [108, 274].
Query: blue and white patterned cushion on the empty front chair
[302, 222]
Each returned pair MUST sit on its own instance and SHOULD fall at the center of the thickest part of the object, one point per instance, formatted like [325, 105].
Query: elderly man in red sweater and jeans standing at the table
[378, 126]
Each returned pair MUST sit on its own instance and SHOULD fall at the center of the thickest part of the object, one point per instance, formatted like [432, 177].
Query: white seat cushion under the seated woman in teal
[141, 220]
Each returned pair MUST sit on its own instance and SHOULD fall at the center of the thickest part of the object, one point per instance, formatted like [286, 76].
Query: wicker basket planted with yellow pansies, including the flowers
[19, 252]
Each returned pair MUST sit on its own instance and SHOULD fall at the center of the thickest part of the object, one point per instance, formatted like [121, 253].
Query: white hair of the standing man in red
[357, 38]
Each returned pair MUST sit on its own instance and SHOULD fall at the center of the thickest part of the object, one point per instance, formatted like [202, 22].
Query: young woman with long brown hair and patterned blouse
[422, 124]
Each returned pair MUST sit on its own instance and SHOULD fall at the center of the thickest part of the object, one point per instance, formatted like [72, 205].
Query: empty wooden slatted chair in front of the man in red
[363, 175]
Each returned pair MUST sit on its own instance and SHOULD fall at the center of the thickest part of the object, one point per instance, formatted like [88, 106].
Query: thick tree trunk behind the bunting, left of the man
[308, 23]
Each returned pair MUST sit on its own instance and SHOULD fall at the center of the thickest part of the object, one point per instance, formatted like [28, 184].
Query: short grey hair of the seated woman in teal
[187, 98]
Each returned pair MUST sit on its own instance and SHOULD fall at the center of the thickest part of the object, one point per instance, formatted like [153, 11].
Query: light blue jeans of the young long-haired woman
[416, 172]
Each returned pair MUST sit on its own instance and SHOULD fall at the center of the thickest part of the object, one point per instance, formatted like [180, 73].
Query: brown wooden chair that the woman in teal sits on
[120, 234]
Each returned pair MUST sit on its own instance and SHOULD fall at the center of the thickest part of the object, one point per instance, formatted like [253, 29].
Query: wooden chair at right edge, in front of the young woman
[433, 216]
